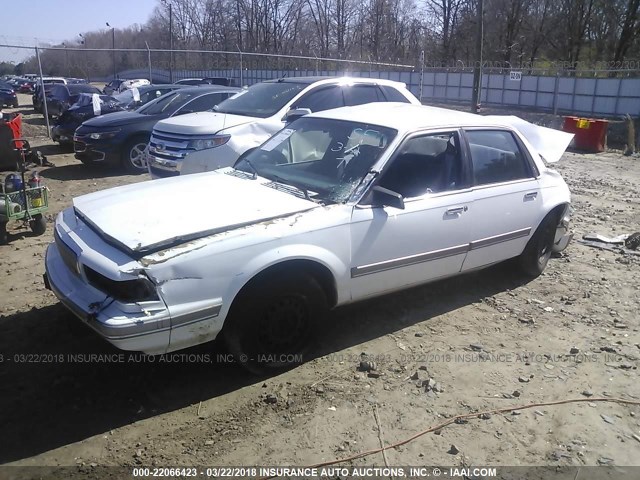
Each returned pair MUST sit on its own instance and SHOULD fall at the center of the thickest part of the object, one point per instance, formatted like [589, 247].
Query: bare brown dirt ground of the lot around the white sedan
[488, 340]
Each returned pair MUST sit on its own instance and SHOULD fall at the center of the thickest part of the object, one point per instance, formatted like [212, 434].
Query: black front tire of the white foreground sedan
[273, 320]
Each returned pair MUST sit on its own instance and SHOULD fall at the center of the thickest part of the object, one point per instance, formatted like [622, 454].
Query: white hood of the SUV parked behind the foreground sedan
[202, 123]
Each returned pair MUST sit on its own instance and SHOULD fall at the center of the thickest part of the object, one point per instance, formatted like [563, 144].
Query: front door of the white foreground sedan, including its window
[394, 248]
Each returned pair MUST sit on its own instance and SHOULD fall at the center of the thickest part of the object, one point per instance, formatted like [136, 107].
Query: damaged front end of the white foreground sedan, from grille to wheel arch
[134, 305]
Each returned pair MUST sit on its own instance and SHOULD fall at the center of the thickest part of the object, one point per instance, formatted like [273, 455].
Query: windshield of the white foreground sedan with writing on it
[324, 159]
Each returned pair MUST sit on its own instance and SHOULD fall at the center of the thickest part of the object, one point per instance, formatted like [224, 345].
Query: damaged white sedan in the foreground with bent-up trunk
[339, 206]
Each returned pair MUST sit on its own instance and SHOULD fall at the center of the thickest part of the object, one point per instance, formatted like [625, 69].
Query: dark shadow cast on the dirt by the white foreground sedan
[52, 393]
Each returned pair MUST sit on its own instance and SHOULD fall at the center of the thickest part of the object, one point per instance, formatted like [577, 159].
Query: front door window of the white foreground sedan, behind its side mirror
[425, 164]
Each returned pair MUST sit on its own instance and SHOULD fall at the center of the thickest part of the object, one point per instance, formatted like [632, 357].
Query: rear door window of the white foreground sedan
[496, 157]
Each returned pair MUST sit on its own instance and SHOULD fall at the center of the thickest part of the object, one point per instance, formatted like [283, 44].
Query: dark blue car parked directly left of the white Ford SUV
[121, 138]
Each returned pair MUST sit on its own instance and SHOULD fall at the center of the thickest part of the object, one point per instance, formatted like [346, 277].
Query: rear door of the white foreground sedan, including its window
[507, 196]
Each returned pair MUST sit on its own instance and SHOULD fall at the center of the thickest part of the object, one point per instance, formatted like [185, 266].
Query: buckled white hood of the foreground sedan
[148, 216]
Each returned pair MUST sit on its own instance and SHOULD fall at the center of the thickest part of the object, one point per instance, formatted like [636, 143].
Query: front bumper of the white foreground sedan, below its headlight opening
[127, 326]
